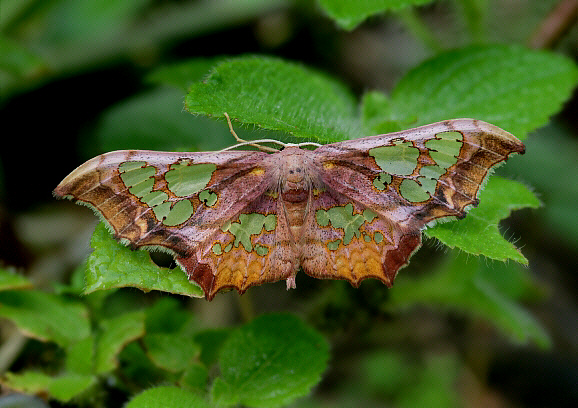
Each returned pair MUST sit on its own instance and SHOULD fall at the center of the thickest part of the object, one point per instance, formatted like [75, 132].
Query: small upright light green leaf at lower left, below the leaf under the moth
[114, 334]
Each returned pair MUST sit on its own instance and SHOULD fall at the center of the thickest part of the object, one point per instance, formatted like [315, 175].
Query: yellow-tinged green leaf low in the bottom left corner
[63, 388]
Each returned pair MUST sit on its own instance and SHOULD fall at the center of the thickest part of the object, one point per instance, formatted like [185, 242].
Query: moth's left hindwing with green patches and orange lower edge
[254, 247]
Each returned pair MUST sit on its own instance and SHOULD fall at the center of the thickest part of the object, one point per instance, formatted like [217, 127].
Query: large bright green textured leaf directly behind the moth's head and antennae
[277, 95]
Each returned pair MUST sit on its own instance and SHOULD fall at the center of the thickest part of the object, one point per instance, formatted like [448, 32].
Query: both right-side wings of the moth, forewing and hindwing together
[379, 192]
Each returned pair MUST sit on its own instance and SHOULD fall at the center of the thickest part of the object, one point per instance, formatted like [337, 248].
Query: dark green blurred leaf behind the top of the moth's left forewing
[155, 120]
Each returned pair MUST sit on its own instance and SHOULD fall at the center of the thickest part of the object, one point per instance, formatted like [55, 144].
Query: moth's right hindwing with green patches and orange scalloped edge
[345, 240]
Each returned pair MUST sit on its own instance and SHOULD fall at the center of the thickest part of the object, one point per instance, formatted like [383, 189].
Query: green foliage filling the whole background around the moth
[81, 77]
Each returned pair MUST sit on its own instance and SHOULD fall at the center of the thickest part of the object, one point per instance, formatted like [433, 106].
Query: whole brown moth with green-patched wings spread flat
[349, 210]
